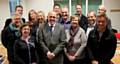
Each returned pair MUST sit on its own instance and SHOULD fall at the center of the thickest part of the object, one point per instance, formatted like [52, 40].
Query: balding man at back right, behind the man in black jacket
[102, 11]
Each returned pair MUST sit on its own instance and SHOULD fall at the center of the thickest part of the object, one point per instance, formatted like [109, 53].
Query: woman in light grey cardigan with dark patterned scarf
[76, 43]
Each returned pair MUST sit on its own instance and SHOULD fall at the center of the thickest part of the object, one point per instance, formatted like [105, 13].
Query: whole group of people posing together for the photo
[59, 39]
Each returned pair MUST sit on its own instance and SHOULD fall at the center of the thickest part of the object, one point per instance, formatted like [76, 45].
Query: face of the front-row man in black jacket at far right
[101, 23]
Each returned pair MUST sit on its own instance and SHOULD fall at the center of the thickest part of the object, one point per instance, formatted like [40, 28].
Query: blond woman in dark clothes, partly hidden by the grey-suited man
[34, 32]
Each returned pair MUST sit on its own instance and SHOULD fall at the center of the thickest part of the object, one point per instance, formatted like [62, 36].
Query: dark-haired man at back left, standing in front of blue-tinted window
[19, 10]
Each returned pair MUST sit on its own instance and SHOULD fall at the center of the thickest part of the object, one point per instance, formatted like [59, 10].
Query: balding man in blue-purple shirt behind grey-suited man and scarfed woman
[65, 18]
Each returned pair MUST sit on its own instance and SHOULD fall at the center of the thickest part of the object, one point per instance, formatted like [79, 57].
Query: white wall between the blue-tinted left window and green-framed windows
[44, 5]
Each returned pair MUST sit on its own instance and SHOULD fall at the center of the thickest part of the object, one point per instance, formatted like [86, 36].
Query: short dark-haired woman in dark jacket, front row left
[24, 48]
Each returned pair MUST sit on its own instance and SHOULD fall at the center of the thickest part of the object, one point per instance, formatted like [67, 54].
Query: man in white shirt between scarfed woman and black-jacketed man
[91, 22]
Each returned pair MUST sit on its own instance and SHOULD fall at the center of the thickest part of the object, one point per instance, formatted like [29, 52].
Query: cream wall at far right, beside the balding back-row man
[114, 16]
